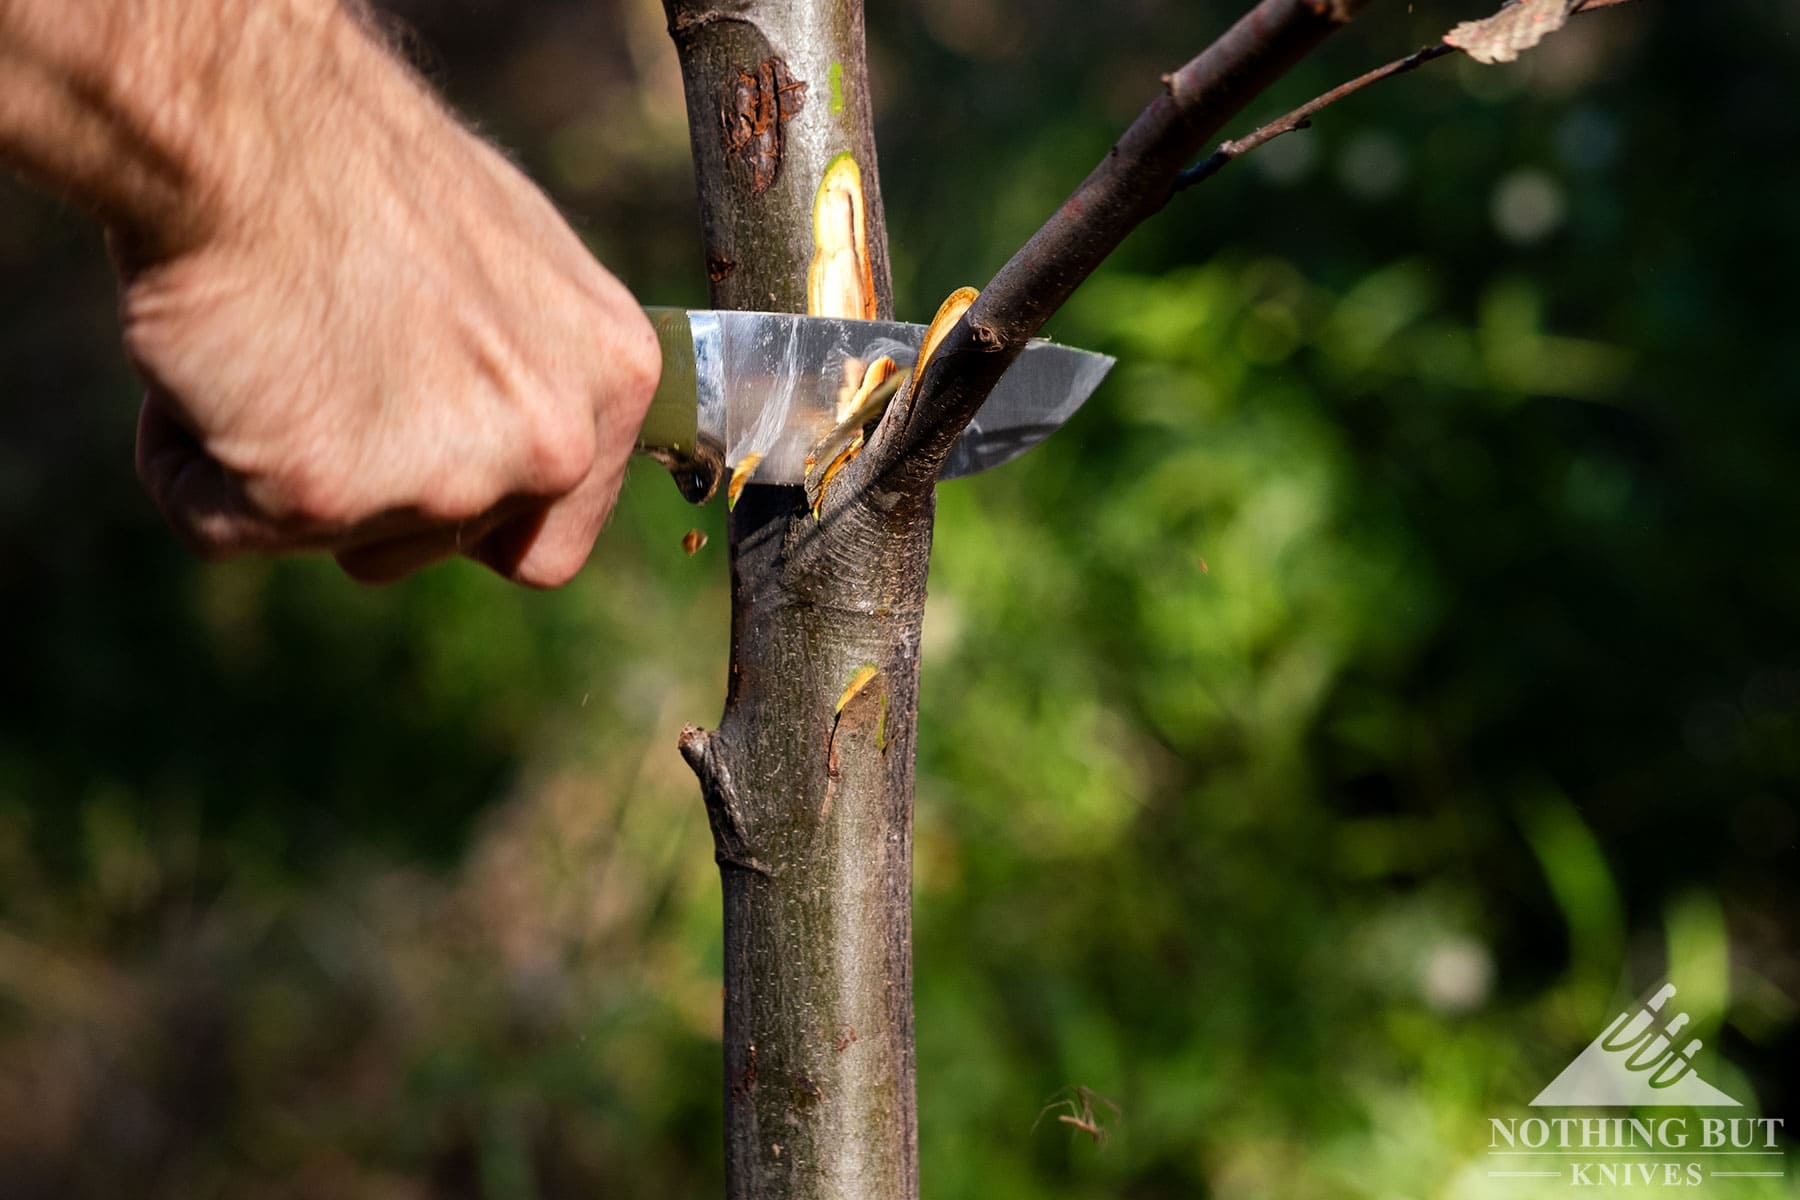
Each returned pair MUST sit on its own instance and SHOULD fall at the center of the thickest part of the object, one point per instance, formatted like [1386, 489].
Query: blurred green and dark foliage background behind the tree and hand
[1392, 672]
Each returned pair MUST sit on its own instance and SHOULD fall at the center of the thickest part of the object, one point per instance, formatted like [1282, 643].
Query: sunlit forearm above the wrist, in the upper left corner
[161, 114]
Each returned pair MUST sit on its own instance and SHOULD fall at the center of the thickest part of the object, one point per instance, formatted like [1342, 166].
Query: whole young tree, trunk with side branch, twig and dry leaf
[809, 775]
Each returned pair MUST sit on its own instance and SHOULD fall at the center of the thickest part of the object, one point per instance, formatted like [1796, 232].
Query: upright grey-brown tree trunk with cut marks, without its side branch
[807, 780]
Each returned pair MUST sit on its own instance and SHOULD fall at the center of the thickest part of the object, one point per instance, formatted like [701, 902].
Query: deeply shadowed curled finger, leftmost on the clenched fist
[202, 501]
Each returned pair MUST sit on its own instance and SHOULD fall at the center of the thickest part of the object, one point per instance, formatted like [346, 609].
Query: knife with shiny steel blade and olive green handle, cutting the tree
[769, 384]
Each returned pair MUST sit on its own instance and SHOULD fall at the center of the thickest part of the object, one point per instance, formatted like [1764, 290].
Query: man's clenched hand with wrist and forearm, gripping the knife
[363, 330]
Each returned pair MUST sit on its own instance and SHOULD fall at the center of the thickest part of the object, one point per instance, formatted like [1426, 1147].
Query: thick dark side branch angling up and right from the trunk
[1131, 184]
